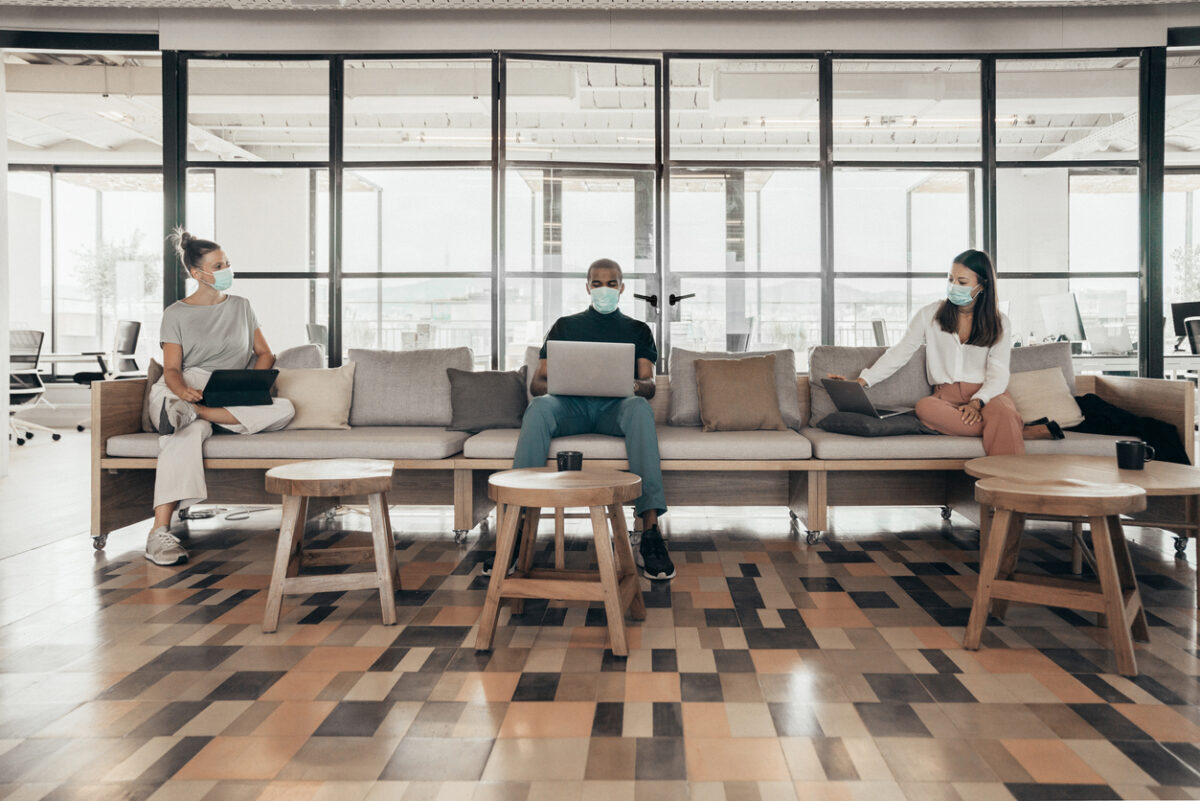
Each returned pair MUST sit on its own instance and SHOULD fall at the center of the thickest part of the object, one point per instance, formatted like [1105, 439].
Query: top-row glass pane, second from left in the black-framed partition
[428, 111]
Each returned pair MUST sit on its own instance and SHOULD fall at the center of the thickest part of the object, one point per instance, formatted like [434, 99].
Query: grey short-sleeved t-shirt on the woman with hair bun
[213, 338]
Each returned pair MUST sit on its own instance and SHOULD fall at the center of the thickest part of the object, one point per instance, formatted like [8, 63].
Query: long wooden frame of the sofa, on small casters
[123, 487]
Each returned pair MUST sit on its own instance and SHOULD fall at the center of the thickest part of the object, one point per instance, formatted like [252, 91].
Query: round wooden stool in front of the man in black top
[603, 492]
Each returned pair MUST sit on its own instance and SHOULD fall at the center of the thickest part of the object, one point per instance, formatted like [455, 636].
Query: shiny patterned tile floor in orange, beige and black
[769, 671]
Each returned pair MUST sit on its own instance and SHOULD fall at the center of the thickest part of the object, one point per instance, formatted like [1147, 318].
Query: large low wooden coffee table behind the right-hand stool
[1160, 480]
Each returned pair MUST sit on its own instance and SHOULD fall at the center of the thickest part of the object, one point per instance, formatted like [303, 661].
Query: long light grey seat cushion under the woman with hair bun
[365, 442]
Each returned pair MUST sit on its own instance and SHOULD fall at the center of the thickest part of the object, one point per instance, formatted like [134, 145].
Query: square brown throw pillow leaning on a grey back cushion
[739, 395]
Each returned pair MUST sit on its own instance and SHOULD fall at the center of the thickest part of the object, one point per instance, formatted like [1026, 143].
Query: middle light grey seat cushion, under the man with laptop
[675, 443]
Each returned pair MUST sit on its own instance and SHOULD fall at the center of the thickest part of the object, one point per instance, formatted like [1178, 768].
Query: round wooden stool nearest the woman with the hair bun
[332, 479]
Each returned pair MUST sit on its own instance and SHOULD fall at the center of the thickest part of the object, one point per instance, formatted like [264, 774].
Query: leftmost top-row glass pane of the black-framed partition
[259, 111]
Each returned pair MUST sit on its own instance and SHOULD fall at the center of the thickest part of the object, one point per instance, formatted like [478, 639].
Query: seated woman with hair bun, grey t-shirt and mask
[206, 332]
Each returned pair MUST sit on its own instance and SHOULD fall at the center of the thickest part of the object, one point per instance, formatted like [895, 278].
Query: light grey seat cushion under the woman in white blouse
[827, 445]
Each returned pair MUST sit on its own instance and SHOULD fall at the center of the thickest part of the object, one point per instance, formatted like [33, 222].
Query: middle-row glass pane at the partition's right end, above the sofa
[1067, 221]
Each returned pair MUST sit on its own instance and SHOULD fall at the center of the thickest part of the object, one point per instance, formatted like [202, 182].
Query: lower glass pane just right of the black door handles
[749, 315]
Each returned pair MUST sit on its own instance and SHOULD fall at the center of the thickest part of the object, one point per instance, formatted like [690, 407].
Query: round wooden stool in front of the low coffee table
[1101, 505]
